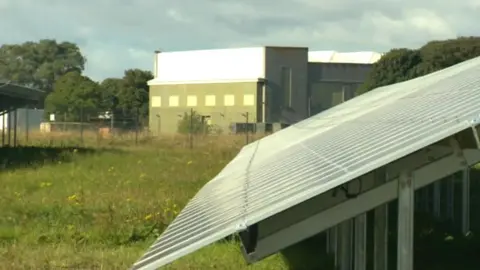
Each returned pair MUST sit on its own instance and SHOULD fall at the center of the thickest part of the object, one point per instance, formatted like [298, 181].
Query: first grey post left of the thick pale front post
[380, 228]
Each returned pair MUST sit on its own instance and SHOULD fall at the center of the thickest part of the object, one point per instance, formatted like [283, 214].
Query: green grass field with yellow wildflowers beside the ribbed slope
[101, 207]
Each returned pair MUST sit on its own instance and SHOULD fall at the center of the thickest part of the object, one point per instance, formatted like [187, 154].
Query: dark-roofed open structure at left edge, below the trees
[13, 97]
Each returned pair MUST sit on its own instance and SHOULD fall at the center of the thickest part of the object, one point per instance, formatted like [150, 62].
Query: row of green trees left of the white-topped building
[58, 68]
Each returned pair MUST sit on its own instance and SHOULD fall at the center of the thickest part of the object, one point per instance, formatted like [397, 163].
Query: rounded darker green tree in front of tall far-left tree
[74, 95]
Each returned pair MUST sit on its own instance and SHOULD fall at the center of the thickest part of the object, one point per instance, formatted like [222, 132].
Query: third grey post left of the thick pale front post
[345, 241]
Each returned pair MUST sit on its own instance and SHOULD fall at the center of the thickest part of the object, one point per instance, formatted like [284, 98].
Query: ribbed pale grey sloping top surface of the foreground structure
[320, 153]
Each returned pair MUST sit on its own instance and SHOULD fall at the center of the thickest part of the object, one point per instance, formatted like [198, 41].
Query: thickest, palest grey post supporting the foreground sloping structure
[406, 209]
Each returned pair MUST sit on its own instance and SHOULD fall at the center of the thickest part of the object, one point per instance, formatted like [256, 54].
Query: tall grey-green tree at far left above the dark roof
[39, 64]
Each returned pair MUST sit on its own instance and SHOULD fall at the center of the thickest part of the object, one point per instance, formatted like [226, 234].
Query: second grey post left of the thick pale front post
[360, 244]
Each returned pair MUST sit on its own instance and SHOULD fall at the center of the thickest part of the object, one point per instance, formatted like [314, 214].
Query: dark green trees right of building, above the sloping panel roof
[404, 64]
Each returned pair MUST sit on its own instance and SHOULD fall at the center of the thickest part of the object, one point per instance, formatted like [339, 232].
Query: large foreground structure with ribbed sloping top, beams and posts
[324, 173]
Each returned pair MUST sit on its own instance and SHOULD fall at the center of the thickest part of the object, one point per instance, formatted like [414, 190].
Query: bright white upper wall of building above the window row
[210, 65]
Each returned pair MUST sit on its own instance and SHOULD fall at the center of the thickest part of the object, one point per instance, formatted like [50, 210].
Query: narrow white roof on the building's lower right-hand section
[344, 57]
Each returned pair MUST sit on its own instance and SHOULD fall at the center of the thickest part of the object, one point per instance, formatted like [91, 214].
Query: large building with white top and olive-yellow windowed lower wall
[256, 85]
